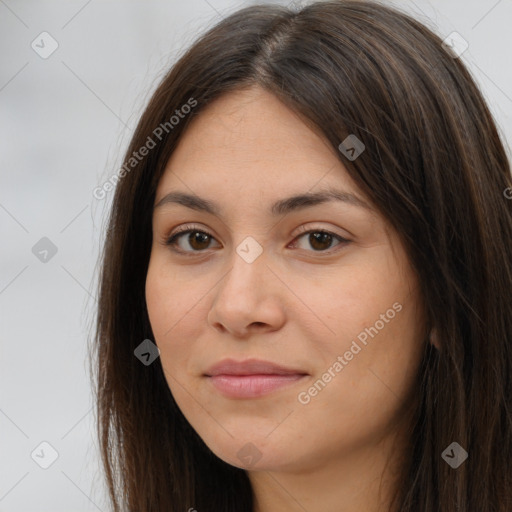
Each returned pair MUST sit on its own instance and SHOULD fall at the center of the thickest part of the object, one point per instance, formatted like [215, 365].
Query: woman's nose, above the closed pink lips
[248, 299]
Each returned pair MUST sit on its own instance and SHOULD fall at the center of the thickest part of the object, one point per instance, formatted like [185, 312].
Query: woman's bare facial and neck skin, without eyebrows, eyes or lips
[294, 305]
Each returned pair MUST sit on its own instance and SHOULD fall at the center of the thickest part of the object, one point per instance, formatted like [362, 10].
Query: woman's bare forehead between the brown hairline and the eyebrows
[249, 139]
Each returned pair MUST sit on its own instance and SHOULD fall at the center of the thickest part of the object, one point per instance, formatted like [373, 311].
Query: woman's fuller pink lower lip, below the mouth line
[251, 386]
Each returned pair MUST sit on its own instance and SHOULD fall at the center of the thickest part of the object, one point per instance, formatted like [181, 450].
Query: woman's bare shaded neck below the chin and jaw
[364, 479]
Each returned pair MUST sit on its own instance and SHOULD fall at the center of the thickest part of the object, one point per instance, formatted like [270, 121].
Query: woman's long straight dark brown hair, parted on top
[435, 167]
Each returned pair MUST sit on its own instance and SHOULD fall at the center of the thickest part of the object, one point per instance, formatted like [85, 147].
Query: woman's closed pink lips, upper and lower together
[251, 378]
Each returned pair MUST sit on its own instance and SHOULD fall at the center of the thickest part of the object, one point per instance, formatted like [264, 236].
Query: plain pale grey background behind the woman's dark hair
[64, 125]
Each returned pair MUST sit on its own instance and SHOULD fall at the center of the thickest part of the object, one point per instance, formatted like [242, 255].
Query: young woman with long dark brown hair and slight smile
[306, 287]
